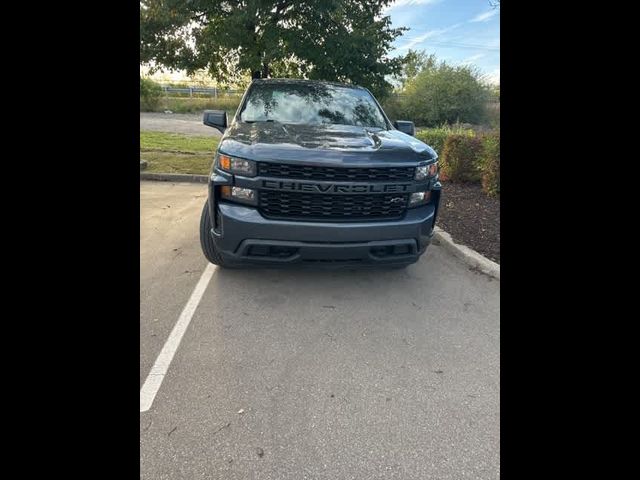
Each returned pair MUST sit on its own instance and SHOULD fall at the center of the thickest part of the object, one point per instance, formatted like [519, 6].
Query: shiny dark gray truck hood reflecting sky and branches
[322, 144]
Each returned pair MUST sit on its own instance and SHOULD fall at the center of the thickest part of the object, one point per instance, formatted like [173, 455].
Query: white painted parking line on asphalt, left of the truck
[158, 371]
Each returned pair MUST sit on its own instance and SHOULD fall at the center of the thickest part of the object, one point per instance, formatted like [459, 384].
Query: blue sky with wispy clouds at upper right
[457, 31]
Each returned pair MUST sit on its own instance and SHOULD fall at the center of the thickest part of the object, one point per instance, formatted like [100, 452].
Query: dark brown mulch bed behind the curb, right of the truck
[471, 218]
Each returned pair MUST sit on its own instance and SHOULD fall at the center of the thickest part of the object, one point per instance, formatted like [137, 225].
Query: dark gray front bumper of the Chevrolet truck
[242, 235]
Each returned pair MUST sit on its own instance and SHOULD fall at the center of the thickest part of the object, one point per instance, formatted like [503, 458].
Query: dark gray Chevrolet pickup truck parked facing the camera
[314, 173]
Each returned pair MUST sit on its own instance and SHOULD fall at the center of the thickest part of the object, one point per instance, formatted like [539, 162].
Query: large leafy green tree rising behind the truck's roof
[341, 40]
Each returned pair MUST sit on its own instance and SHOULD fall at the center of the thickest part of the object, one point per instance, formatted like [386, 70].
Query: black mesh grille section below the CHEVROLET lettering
[318, 207]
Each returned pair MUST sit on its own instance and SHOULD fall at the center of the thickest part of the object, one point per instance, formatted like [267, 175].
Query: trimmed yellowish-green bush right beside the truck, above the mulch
[459, 161]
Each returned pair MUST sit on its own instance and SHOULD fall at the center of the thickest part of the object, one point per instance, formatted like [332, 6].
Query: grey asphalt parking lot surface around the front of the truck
[369, 374]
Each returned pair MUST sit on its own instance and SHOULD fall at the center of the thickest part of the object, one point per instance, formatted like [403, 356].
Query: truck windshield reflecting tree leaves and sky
[311, 103]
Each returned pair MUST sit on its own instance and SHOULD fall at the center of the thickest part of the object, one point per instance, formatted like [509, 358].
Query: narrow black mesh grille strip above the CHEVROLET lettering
[282, 170]
